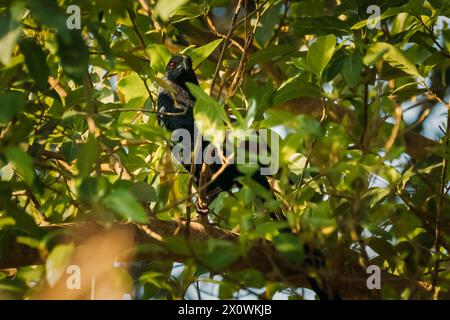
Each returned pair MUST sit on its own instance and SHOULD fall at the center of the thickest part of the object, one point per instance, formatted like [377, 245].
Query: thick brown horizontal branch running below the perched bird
[261, 256]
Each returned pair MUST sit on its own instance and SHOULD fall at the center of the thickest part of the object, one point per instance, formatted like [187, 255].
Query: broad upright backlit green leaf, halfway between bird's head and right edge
[320, 53]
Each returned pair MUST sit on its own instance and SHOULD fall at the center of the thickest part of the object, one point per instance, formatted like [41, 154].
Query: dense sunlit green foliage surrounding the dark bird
[361, 107]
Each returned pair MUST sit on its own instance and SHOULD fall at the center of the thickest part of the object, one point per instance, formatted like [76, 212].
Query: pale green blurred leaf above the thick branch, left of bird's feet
[125, 204]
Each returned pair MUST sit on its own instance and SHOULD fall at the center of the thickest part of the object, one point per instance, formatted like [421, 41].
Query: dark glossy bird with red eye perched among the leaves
[175, 107]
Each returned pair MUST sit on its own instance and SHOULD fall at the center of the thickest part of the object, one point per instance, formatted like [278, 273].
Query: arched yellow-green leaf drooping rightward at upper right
[391, 55]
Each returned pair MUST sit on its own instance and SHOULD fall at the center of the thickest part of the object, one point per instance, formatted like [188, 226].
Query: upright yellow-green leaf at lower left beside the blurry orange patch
[57, 262]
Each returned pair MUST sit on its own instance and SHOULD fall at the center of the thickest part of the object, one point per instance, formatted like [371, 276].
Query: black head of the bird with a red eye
[179, 70]
